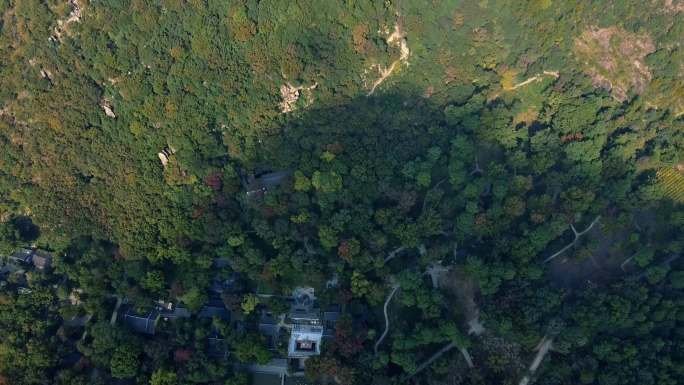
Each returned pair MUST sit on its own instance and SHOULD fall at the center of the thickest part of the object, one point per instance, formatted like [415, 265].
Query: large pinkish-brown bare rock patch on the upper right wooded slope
[615, 59]
